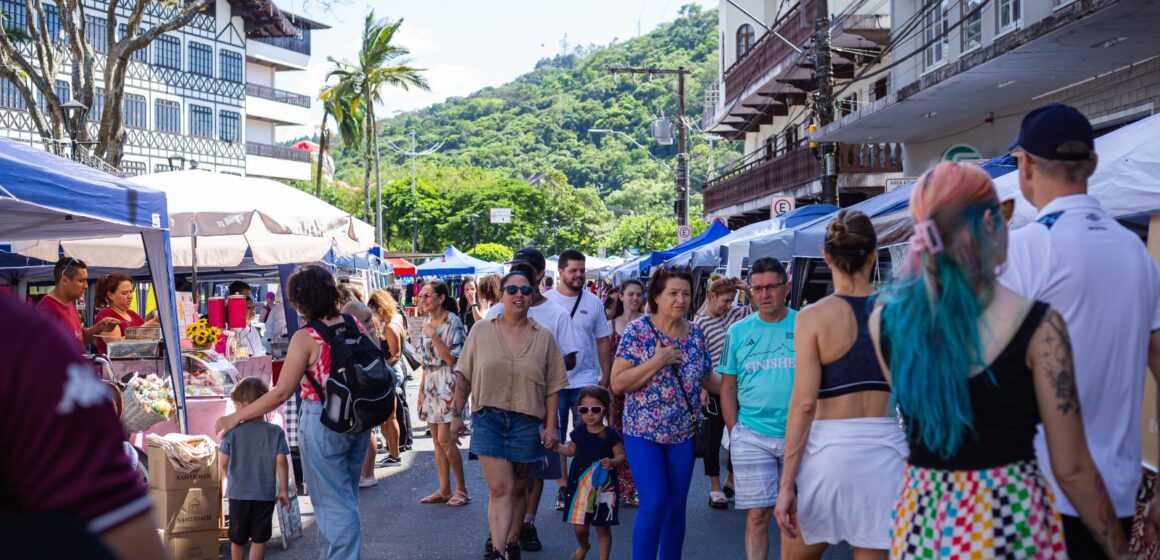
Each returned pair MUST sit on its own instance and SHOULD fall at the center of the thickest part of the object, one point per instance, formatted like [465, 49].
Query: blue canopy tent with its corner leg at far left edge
[46, 198]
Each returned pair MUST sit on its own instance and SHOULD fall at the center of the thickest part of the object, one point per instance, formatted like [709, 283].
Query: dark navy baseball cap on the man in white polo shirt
[1053, 126]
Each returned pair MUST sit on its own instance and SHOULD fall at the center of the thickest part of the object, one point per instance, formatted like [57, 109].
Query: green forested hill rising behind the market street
[538, 128]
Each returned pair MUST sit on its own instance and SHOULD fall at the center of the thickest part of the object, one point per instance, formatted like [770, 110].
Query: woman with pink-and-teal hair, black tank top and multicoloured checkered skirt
[975, 368]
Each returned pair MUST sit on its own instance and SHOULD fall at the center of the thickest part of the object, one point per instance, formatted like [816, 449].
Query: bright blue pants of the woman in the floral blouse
[663, 474]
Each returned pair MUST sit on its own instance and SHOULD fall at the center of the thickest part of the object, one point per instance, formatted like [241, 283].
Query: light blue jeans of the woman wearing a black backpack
[333, 463]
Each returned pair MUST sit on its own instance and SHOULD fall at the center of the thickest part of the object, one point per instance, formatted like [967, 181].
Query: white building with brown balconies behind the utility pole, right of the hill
[766, 99]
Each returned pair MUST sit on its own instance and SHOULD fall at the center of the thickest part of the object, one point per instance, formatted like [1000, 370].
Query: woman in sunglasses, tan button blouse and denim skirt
[513, 370]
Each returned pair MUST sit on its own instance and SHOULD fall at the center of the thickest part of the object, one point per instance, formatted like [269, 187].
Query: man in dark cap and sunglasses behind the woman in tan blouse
[559, 323]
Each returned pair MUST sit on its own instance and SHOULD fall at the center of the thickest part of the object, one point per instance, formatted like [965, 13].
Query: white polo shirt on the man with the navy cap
[1106, 285]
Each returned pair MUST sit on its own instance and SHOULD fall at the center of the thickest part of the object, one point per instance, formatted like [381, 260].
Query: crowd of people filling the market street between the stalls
[984, 405]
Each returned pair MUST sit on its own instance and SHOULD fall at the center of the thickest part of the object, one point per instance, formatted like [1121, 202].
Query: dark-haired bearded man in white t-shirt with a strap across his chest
[594, 361]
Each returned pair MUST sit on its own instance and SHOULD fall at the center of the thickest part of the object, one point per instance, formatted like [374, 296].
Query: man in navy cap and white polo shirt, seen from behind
[1101, 279]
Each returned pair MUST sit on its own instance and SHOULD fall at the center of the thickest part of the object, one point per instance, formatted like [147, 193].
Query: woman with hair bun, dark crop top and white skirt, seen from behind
[845, 456]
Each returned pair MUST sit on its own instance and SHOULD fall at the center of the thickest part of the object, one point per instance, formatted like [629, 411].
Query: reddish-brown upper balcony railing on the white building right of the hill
[770, 50]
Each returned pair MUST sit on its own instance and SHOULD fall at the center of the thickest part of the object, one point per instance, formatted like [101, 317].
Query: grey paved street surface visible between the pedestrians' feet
[397, 527]
